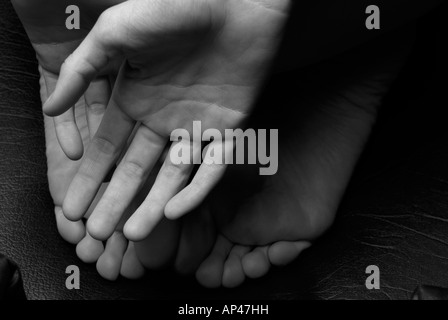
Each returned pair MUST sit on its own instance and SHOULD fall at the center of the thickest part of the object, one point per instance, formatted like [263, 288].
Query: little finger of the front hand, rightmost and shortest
[209, 173]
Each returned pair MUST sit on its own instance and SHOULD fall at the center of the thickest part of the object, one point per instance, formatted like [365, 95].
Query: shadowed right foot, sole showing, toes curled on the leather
[265, 221]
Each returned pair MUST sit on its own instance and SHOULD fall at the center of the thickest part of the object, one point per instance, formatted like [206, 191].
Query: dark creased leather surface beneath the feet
[395, 213]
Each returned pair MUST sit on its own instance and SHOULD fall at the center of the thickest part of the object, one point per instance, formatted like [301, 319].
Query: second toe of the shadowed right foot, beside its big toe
[210, 272]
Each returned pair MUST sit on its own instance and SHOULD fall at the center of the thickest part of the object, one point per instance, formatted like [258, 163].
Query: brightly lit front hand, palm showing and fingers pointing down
[184, 61]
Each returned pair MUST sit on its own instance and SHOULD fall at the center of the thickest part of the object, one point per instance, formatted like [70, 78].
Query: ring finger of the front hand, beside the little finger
[172, 177]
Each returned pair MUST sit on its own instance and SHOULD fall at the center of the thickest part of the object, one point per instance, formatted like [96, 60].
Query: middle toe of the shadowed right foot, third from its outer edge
[233, 275]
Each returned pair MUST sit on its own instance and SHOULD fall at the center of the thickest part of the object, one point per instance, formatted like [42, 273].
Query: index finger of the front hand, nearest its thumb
[101, 155]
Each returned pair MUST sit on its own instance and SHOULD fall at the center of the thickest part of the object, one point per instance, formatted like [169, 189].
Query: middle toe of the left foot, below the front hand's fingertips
[109, 264]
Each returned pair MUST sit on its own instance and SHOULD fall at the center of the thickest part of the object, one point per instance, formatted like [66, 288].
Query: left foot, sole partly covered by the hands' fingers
[118, 255]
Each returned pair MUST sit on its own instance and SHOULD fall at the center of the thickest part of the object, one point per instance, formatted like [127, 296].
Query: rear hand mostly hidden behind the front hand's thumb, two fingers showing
[44, 22]
